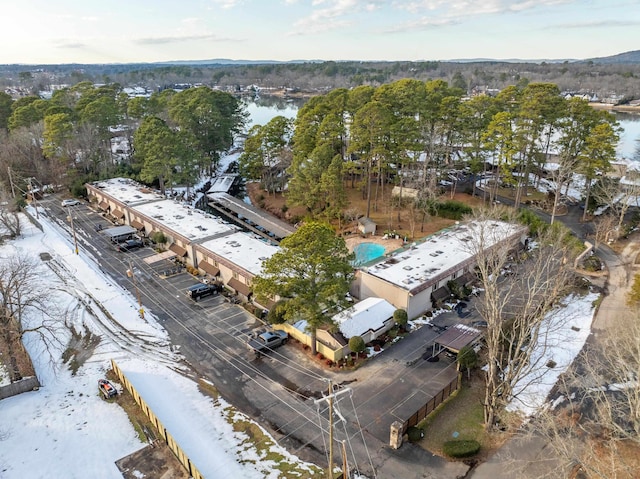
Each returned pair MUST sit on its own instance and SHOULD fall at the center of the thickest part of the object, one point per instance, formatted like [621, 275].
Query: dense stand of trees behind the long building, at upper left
[171, 137]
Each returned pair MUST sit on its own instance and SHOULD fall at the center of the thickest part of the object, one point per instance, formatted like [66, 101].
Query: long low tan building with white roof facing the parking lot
[201, 240]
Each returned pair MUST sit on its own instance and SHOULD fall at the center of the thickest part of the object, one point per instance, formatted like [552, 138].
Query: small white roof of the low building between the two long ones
[368, 314]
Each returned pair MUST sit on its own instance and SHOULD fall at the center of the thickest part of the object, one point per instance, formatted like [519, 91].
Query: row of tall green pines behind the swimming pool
[410, 133]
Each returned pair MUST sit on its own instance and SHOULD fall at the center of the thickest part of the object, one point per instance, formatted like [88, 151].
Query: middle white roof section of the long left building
[192, 223]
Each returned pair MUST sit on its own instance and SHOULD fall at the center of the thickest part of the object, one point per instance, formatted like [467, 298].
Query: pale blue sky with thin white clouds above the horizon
[81, 31]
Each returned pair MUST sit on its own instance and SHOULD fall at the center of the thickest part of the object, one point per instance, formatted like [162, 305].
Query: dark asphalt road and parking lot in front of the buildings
[282, 389]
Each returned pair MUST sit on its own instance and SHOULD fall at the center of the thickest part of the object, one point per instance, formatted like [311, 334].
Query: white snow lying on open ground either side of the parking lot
[65, 429]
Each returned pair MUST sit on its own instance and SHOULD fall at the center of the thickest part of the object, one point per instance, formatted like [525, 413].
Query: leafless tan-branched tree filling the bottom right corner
[595, 424]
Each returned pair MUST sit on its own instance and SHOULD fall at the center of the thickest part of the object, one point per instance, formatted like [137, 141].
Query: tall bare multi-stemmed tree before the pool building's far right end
[515, 305]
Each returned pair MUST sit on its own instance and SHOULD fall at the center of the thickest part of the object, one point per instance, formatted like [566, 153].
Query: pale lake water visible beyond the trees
[263, 109]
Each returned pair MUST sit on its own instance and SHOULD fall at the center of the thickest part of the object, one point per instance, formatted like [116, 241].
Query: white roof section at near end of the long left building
[244, 249]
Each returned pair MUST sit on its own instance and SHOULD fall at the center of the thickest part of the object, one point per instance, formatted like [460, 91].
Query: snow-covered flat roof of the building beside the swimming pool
[417, 264]
